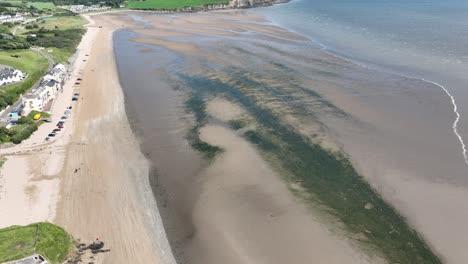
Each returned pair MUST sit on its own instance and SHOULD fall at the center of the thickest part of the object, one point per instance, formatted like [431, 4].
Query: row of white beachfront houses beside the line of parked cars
[50, 85]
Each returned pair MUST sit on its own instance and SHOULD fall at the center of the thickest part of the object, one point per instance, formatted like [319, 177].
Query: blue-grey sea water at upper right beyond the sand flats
[425, 39]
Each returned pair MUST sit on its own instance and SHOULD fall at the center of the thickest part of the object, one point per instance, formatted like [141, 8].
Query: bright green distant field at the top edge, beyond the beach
[170, 4]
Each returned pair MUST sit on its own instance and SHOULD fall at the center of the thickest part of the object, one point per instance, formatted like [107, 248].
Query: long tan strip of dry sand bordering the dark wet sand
[109, 197]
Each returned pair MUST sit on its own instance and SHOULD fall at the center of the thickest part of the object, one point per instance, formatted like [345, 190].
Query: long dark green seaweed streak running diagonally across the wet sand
[329, 176]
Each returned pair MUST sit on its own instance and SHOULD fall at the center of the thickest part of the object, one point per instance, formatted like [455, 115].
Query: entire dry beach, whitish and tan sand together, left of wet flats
[92, 179]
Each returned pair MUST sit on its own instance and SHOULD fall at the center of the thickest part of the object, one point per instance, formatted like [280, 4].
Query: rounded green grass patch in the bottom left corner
[49, 240]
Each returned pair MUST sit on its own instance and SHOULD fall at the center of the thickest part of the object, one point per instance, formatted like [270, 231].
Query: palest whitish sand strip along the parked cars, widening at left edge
[30, 177]
